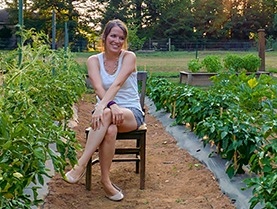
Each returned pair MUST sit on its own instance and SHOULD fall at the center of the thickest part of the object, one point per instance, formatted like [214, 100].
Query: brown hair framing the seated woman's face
[107, 29]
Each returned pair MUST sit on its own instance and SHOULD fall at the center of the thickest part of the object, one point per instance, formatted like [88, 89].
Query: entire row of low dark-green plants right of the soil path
[238, 117]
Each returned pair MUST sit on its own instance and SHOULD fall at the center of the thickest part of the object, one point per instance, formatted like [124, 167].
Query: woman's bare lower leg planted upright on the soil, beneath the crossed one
[106, 154]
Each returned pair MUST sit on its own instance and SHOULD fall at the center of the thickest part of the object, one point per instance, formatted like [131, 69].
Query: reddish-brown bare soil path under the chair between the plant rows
[174, 179]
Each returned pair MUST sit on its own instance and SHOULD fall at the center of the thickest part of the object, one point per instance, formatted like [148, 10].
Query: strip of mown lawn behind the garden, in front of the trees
[169, 64]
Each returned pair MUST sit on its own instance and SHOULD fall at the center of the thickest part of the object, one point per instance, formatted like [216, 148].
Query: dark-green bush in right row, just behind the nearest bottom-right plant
[233, 133]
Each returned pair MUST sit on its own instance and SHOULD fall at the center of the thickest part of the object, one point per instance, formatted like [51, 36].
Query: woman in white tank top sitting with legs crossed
[114, 79]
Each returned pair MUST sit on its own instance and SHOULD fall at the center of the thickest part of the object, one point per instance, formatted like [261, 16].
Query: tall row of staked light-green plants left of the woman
[36, 102]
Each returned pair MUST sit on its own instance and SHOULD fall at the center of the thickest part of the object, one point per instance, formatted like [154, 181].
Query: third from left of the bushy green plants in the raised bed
[233, 62]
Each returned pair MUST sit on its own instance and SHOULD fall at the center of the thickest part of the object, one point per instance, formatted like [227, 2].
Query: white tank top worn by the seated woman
[128, 95]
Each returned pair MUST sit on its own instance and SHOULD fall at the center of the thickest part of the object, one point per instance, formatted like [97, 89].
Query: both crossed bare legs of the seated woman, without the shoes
[95, 138]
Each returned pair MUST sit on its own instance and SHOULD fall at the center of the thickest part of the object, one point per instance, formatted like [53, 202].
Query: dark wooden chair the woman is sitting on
[135, 153]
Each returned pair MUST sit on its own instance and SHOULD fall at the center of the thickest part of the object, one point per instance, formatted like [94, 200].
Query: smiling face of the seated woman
[115, 40]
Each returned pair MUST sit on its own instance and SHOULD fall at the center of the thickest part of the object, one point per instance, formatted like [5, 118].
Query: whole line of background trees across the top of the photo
[182, 20]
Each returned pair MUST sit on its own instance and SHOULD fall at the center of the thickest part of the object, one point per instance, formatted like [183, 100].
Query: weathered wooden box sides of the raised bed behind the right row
[203, 79]
